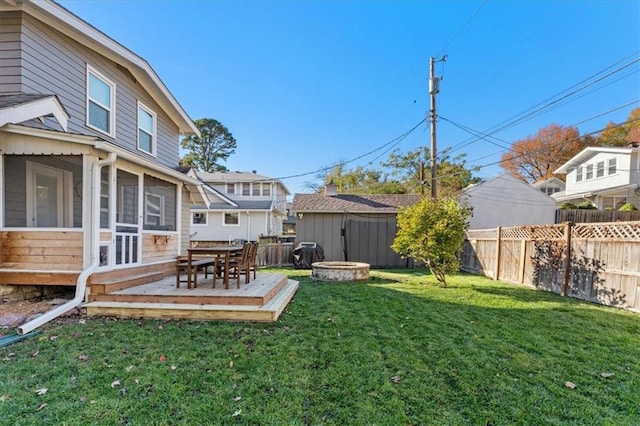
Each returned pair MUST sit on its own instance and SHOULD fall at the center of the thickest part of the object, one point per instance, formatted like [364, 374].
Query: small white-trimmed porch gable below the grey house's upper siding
[20, 107]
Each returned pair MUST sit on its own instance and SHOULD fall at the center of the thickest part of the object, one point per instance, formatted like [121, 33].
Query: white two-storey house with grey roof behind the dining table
[239, 206]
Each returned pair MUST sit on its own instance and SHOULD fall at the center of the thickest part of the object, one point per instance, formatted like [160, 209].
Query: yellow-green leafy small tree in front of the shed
[432, 231]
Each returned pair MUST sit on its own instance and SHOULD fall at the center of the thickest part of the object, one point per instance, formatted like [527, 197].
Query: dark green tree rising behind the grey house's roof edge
[215, 144]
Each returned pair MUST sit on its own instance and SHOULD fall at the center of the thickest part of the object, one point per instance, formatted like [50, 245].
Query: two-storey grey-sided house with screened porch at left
[88, 149]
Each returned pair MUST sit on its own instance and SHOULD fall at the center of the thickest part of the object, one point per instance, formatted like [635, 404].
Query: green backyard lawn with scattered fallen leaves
[392, 350]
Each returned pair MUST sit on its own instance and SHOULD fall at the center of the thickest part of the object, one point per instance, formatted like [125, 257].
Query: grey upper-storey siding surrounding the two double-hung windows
[55, 63]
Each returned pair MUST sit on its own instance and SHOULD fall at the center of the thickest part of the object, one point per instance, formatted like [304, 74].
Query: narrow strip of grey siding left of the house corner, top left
[10, 81]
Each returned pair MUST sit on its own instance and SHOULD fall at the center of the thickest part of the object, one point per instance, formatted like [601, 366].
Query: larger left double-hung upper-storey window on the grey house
[101, 99]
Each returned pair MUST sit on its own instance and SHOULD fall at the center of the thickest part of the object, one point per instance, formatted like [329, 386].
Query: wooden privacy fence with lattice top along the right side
[598, 262]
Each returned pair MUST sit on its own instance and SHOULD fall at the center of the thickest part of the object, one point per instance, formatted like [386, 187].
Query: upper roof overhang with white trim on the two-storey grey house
[71, 25]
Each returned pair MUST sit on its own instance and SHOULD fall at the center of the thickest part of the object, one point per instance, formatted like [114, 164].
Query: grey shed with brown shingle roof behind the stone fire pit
[359, 228]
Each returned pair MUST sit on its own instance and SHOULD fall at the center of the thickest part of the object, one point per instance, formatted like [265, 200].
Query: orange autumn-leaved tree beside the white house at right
[536, 157]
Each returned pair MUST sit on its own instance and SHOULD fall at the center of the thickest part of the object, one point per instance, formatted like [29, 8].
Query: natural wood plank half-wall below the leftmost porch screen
[42, 250]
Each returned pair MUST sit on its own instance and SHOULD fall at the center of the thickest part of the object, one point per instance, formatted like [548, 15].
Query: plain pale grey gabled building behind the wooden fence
[507, 201]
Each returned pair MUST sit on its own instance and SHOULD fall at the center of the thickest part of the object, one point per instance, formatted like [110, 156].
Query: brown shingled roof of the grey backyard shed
[349, 203]
